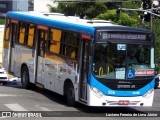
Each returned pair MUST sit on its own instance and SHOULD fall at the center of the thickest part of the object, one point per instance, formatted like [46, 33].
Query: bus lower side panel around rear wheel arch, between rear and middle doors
[24, 55]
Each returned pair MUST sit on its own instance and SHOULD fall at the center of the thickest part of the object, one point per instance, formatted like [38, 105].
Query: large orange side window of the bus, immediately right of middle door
[55, 38]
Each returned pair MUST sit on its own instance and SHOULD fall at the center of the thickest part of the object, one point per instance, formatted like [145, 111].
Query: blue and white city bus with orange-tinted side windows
[93, 62]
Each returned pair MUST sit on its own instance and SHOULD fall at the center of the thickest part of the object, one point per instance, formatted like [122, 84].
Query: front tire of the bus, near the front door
[70, 95]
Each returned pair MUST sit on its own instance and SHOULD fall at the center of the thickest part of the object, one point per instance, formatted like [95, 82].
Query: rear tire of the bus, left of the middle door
[25, 78]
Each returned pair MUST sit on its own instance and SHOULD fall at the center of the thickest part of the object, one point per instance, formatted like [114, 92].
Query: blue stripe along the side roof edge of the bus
[52, 23]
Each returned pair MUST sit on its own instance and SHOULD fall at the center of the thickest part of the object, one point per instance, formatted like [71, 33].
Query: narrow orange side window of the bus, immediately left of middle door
[31, 37]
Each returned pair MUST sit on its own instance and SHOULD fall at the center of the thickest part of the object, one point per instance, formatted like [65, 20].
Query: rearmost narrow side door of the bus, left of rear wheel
[14, 27]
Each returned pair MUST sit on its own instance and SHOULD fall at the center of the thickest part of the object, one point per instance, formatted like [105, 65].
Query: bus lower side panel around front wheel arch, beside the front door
[66, 69]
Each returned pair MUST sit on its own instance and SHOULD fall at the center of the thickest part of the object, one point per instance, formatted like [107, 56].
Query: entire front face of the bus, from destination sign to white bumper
[123, 69]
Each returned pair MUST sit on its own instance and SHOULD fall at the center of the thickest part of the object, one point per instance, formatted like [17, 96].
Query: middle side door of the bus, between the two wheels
[42, 37]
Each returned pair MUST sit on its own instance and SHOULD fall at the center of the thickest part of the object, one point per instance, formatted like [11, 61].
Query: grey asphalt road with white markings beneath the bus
[38, 102]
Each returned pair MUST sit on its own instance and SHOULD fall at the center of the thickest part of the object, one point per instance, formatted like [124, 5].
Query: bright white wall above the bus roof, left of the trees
[41, 5]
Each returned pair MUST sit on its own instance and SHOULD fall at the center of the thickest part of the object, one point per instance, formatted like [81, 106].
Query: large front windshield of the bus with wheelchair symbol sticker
[123, 61]
